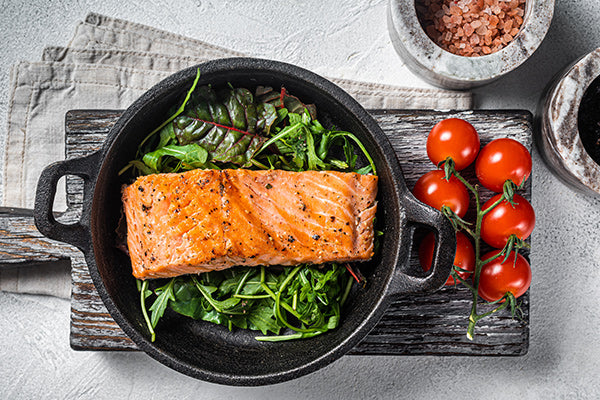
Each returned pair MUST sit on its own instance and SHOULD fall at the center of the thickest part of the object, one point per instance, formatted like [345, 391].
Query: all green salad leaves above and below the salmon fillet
[234, 128]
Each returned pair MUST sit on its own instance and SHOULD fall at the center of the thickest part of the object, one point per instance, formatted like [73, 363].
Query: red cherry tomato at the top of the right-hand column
[500, 160]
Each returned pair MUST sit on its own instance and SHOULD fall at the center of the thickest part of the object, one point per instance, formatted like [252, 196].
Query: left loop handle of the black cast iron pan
[78, 234]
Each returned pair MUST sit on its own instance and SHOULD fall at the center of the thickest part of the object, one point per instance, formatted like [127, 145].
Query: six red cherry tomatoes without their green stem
[500, 160]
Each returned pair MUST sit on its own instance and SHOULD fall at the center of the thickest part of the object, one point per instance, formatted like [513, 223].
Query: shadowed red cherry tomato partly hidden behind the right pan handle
[464, 258]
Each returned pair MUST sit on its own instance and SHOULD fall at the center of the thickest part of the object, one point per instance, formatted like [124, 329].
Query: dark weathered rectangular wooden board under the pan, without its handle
[431, 324]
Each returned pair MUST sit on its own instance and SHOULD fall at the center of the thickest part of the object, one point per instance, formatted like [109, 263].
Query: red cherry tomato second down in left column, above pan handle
[433, 189]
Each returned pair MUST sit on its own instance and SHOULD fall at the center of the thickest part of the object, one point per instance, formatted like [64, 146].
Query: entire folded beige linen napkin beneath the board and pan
[107, 65]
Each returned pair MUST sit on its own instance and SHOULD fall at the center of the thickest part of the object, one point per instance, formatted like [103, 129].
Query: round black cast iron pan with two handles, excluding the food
[207, 351]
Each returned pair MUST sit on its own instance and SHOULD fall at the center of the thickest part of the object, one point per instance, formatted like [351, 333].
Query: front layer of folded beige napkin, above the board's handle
[42, 93]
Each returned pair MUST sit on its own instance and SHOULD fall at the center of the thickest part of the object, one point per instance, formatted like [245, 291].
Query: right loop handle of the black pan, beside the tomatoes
[419, 214]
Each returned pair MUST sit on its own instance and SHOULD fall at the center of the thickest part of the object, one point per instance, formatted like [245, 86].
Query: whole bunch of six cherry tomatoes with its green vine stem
[504, 222]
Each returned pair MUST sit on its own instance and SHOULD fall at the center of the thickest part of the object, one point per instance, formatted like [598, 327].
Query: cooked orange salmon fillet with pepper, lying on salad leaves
[204, 220]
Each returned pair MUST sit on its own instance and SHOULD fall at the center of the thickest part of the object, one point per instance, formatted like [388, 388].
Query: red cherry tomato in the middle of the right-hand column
[506, 219]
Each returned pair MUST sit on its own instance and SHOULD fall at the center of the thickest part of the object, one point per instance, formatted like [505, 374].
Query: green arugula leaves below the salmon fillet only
[306, 299]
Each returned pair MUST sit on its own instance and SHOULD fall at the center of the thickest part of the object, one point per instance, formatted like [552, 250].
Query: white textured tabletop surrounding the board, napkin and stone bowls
[346, 39]
